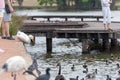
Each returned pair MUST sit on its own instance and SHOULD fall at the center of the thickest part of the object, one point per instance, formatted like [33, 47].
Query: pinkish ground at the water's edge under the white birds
[13, 48]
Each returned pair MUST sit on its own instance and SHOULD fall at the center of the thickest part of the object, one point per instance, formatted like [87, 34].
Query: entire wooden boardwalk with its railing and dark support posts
[72, 29]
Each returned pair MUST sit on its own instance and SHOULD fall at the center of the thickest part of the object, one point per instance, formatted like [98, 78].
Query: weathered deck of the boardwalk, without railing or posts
[31, 26]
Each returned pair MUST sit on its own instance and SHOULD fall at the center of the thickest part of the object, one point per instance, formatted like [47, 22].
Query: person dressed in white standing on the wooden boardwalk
[106, 13]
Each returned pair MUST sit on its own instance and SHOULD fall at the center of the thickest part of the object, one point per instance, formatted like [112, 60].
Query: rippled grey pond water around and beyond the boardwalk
[68, 52]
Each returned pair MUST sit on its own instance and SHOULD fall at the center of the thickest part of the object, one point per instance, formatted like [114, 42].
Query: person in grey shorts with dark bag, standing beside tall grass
[6, 21]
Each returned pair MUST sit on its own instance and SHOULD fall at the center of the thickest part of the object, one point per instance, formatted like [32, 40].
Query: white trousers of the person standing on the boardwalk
[106, 15]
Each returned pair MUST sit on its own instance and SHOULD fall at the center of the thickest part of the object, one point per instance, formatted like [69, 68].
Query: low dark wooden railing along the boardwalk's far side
[65, 17]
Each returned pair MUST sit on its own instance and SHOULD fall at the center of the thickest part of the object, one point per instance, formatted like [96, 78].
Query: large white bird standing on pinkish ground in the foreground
[14, 65]
